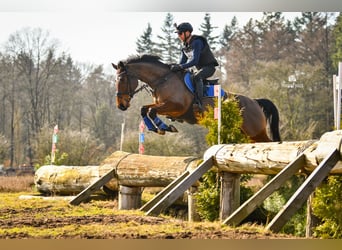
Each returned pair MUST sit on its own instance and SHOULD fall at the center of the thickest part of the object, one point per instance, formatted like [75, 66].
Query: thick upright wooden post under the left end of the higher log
[230, 194]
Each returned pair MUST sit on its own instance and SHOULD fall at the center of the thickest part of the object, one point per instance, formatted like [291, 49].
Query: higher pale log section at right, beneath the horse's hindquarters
[272, 157]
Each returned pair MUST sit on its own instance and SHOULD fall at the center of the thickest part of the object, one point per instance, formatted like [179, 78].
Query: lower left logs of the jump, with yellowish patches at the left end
[132, 170]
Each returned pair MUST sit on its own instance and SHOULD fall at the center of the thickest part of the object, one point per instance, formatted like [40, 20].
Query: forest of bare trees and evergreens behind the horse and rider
[289, 62]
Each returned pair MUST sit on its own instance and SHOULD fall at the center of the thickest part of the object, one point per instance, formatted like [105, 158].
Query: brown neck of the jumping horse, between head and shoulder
[149, 74]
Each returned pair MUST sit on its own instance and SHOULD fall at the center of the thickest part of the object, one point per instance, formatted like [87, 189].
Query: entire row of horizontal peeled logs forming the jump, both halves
[135, 170]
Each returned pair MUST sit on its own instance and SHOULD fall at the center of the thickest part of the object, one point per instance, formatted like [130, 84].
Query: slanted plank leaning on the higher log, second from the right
[250, 205]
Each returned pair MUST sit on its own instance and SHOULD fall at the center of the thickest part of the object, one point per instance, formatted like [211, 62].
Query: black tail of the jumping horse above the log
[272, 116]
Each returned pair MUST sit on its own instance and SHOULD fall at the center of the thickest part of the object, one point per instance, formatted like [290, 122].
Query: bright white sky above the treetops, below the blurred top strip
[101, 37]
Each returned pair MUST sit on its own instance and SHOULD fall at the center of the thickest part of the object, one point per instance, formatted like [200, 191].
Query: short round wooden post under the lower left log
[129, 198]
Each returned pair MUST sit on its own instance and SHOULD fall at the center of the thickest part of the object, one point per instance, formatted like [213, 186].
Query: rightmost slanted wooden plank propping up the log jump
[304, 191]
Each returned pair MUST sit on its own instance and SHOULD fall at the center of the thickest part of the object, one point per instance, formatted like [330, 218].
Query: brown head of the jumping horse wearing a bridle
[126, 83]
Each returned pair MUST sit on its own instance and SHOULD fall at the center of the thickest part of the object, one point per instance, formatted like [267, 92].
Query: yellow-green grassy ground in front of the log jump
[39, 218]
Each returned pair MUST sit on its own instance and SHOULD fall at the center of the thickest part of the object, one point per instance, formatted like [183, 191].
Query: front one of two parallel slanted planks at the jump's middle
[181, 187]
